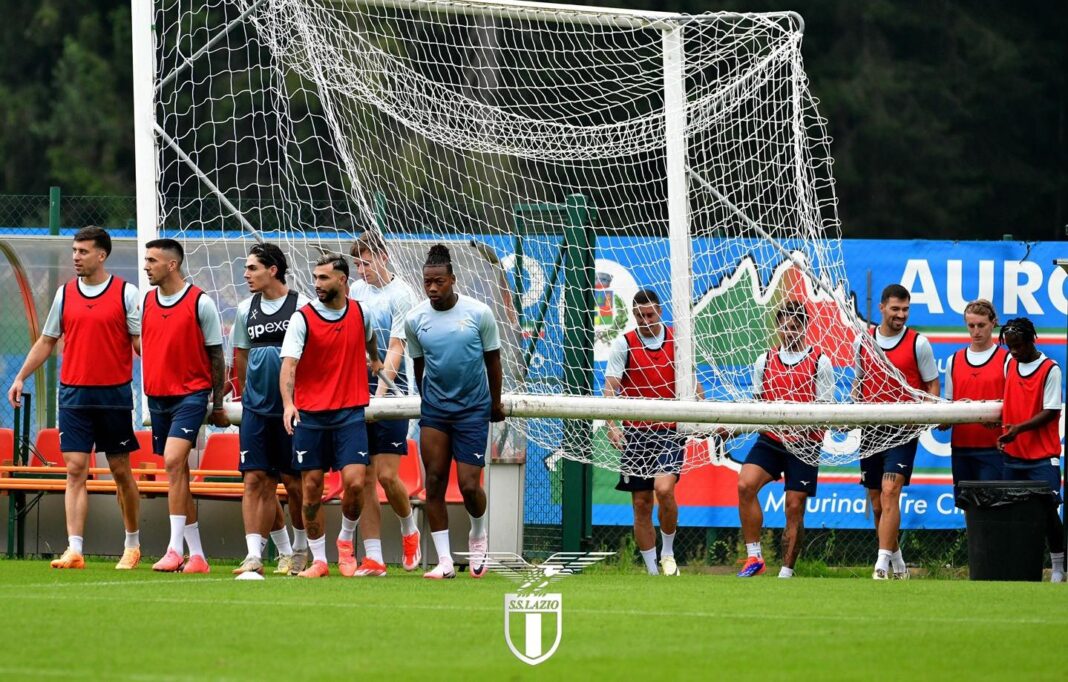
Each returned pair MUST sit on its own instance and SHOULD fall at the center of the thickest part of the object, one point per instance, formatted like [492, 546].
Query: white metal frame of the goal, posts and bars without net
[150, 138]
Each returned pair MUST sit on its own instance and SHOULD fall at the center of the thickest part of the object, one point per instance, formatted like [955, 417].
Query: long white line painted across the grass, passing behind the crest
[595, 612]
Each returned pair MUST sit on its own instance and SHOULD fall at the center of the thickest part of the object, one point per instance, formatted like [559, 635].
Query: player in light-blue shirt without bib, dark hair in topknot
[456, 345]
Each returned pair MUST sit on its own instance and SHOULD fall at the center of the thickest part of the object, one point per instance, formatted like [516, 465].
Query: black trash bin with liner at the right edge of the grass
[1007, 529]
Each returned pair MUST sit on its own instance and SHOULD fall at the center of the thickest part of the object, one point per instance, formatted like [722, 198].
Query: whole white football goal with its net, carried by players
[559, 151]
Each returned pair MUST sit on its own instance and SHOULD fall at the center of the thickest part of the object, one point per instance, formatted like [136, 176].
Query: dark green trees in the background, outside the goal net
[950, 118]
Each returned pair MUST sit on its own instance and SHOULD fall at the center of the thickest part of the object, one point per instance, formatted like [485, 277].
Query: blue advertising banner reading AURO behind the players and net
[1020, 279]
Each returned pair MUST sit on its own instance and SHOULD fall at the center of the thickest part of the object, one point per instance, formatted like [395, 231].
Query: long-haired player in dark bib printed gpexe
[266, 450]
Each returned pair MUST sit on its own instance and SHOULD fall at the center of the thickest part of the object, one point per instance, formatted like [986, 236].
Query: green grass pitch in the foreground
[100, 624]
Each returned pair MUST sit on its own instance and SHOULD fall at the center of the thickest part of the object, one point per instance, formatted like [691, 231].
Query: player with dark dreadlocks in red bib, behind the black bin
[1030, 437]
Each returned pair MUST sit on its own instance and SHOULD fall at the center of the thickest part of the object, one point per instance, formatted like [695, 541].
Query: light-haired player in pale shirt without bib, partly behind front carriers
[387, 300]
